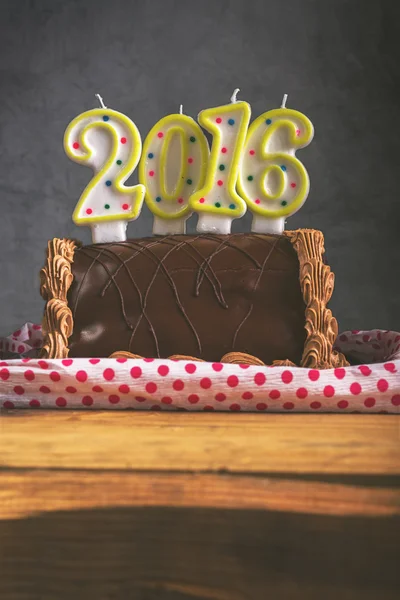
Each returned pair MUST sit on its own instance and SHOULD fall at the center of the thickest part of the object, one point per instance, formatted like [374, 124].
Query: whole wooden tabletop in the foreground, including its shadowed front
[178, 506]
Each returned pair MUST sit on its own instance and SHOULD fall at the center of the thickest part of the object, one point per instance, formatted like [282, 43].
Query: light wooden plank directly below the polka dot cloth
[252, 443]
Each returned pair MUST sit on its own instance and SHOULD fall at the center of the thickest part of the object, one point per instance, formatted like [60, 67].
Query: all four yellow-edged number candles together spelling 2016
[251, 168]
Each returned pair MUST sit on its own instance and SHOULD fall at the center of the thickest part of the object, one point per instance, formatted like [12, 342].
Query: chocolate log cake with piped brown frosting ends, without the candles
[237, 298]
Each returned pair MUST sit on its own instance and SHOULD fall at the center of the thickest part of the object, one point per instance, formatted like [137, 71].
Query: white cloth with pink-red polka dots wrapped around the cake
[156, 384]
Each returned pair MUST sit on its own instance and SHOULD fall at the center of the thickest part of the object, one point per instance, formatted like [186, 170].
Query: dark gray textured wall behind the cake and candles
[337, 59]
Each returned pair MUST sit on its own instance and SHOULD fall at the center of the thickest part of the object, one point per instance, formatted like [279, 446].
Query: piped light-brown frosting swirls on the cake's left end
[55, 280]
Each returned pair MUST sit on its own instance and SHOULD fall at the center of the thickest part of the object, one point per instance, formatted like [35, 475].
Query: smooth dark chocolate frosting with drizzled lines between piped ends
[204, 296]
